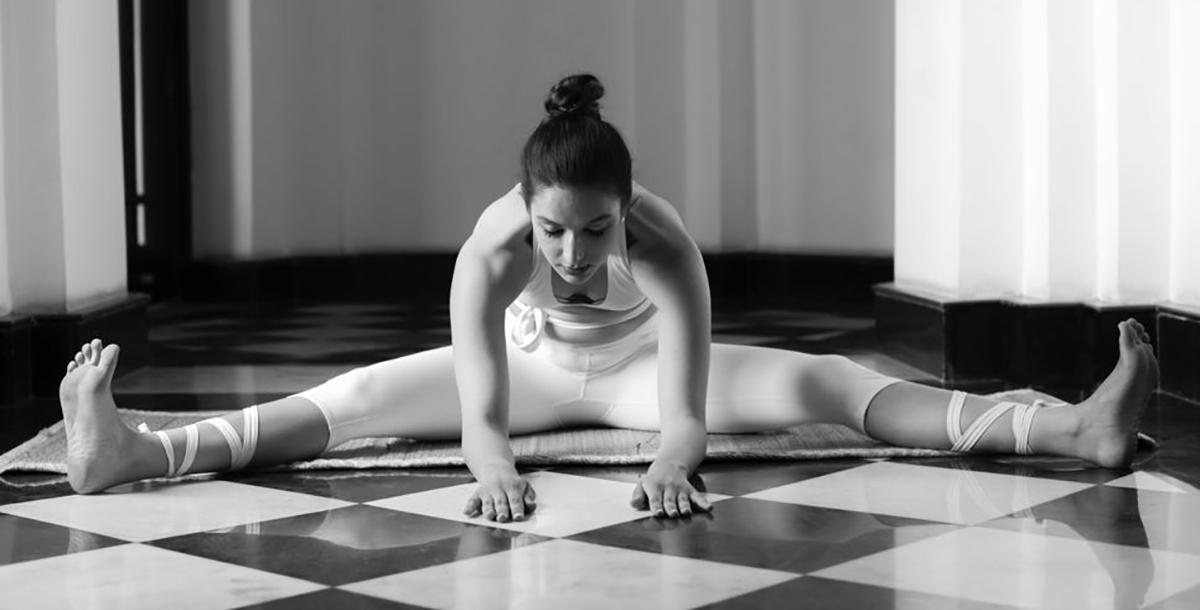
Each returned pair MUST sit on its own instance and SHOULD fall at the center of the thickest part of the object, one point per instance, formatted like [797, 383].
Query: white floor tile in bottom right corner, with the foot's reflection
[1027, 570]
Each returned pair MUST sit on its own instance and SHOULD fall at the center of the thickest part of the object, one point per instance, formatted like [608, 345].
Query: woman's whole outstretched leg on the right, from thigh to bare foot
[757, 390]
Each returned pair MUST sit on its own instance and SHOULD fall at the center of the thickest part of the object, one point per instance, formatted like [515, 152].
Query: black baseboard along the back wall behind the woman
[425, 278]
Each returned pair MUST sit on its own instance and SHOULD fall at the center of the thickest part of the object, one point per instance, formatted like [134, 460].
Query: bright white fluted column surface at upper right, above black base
[1049, 151]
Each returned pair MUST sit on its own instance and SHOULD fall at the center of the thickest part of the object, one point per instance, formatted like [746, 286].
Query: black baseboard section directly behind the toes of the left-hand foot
[56, 338]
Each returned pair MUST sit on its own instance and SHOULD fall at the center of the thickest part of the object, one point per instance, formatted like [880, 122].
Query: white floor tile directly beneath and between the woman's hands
[567, 505]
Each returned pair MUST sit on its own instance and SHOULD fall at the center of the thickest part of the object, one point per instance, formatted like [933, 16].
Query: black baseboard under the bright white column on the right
[1063, 349]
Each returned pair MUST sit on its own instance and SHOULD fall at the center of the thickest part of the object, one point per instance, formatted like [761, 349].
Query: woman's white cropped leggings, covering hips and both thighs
[556, 385]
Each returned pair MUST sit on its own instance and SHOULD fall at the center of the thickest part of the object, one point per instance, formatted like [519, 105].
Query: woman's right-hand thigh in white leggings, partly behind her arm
[752, 390]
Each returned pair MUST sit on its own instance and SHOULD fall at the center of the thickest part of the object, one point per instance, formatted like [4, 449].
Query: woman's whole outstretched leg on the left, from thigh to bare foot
[413, 397]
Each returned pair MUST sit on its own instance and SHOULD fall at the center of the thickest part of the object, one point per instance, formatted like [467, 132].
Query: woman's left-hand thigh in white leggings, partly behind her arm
[417, 397]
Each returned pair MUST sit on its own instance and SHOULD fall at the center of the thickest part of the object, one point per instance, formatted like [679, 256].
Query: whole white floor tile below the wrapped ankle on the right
[946, 495]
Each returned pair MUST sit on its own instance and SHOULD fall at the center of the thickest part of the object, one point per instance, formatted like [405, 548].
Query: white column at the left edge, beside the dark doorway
[64, 210]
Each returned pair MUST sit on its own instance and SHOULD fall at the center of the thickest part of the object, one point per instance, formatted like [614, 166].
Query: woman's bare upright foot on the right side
[1109, 418]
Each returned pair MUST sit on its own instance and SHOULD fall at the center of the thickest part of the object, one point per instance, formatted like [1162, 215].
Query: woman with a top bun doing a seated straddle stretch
[580, 300]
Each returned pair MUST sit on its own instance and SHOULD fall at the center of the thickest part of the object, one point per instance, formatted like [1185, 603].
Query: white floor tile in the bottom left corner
[135, 576]
